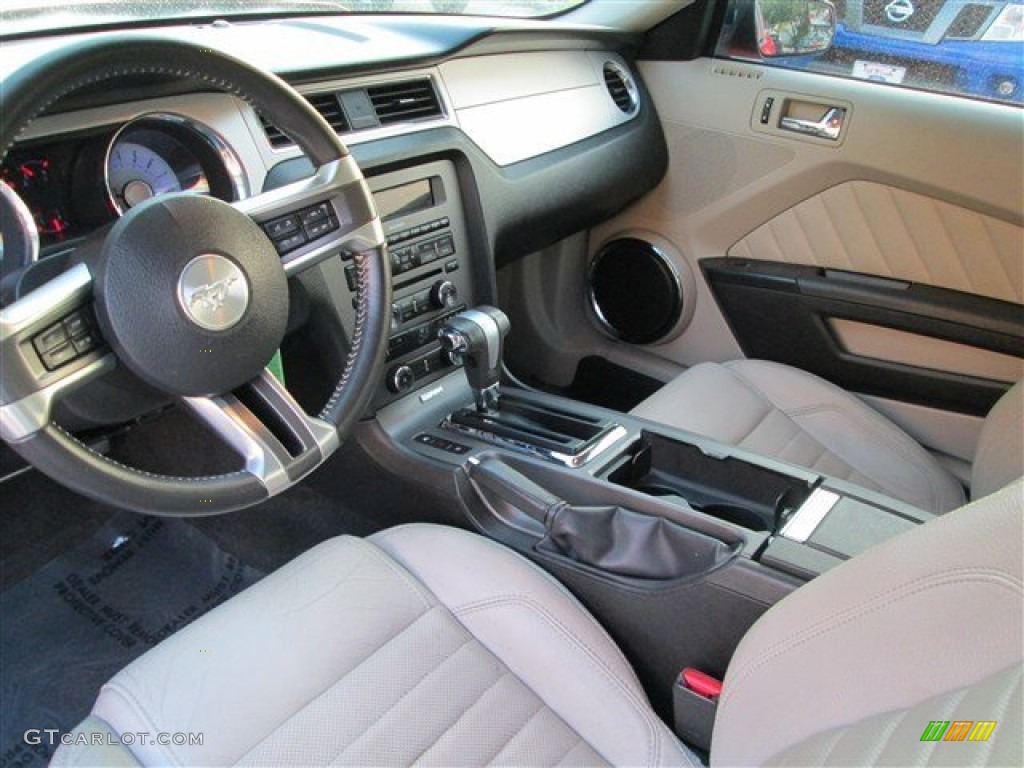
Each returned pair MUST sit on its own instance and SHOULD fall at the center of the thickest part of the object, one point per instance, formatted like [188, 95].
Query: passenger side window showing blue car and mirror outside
[972, 49]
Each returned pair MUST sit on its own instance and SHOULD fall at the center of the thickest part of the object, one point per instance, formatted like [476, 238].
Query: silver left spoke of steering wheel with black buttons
[51, 347]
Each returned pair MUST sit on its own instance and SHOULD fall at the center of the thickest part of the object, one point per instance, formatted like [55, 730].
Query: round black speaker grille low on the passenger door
[635, 291]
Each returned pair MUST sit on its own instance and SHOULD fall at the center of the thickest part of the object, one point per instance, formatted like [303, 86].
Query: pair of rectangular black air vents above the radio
[360, 109]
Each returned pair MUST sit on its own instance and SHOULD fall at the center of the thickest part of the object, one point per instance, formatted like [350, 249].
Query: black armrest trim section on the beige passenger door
[780, 313]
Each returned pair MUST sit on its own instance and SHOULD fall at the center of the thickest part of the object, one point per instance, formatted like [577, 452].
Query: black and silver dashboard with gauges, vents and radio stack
[492, 147]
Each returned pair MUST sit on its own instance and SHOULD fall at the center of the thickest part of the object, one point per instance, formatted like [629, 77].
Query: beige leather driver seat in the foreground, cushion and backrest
[433, 646]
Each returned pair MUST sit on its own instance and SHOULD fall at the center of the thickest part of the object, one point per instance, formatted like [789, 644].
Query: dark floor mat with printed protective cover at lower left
[72, 625]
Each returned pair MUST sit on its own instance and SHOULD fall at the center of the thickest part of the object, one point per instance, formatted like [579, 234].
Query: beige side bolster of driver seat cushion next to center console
[537, 629]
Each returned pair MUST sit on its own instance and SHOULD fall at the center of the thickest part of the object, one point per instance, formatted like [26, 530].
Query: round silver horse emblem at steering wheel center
[214, 292]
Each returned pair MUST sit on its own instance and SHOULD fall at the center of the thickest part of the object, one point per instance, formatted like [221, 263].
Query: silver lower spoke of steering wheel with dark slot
[262, 422]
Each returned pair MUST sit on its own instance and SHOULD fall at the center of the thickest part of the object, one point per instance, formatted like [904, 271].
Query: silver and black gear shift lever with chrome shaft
[476, 336]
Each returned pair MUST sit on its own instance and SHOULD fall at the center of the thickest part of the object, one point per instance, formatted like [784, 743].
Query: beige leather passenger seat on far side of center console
[783, 412]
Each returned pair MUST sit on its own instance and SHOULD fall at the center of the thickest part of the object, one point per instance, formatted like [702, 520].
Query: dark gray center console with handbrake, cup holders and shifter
[676, 543]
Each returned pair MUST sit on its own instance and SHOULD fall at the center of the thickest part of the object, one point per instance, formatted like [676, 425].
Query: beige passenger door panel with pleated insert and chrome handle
[923, 188]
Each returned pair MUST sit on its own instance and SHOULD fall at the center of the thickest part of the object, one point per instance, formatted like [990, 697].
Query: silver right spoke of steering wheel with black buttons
[318, 218]
